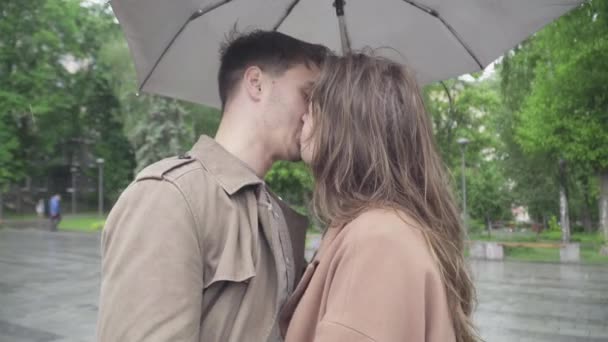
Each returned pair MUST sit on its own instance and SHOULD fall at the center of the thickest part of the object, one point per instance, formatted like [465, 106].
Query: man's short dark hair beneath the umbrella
[271, 51]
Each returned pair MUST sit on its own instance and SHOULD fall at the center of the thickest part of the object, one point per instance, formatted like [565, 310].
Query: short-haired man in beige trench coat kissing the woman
[197, 248]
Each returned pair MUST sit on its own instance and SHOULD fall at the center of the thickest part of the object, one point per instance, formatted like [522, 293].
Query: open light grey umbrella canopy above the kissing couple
[175, 43]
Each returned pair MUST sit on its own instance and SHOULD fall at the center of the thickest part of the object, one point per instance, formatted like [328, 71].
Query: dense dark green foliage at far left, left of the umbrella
[54, 95]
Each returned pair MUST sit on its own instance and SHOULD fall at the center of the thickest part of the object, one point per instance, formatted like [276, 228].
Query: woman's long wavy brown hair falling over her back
[373, 146]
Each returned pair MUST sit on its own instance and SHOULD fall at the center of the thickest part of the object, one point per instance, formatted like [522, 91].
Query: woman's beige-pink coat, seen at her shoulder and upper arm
[372, 280]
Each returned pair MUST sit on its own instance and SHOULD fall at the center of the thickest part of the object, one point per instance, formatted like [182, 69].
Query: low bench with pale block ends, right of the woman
[491, 250]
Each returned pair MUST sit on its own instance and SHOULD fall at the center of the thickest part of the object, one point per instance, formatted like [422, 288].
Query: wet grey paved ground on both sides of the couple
[49, 288]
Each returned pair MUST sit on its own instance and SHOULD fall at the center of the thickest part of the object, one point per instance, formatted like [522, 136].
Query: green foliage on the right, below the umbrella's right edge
[554, 88]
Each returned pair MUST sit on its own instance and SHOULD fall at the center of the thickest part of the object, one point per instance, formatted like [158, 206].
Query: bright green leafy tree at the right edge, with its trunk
[565, 113]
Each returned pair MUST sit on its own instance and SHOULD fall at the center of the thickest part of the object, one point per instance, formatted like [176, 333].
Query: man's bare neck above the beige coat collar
[243, 141]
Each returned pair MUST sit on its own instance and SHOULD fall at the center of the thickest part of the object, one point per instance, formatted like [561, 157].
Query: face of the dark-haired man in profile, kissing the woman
[287, 104]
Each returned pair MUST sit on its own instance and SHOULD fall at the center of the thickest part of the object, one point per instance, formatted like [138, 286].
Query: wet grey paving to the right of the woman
[541, 302]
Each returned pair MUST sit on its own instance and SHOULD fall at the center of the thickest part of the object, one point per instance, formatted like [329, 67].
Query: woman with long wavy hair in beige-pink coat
[390, 267]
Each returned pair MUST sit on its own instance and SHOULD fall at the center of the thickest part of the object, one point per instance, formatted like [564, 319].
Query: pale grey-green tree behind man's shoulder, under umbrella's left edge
[156, 127]
